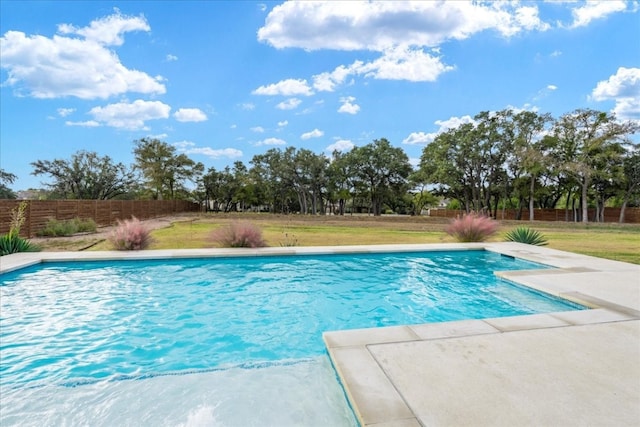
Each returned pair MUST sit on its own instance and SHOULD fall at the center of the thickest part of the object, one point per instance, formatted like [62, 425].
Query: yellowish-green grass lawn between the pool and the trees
[612, 241]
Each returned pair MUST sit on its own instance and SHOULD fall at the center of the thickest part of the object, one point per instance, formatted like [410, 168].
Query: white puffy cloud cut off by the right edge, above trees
[623, 88]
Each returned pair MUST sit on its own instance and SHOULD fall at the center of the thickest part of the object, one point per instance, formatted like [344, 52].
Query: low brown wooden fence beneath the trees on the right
[631, 215]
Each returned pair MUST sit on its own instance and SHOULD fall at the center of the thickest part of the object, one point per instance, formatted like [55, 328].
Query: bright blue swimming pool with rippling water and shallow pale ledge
[198, 329]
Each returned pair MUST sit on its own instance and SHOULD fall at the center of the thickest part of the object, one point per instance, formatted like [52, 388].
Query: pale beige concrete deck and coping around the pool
[569, 368]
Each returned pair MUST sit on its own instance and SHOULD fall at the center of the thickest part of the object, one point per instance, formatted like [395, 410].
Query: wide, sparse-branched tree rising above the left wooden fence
[86, 176]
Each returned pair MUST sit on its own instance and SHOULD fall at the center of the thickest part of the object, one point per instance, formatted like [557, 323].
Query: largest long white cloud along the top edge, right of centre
[378, 26]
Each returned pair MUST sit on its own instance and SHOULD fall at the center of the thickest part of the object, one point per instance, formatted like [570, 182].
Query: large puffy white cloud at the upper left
[84, 67]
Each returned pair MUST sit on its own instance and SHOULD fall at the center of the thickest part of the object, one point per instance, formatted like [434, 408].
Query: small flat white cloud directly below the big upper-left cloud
[131, 116]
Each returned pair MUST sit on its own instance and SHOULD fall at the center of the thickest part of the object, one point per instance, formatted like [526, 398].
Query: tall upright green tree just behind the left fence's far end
[165, 172]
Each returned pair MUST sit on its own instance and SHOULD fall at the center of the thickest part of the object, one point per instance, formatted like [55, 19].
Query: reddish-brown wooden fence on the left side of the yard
[103, 212]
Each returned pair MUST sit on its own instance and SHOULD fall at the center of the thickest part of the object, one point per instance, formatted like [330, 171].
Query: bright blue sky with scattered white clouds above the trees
[223, 81]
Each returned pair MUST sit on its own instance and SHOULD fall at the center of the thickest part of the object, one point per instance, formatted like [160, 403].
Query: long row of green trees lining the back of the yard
[499, 160]
